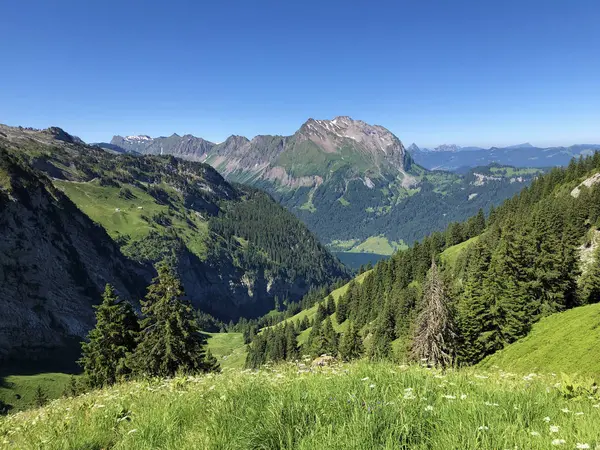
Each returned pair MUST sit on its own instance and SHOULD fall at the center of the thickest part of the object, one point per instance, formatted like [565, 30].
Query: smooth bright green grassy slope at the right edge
[566, 342]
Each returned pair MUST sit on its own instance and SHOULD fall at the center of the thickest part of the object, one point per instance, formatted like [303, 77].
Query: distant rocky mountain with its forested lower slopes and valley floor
[353, 184]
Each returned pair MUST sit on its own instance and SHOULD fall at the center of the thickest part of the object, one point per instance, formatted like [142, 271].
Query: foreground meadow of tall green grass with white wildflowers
[357, 406]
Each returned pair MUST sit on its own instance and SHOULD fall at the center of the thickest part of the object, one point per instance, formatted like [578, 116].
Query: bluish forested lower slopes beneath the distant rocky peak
[442, 198]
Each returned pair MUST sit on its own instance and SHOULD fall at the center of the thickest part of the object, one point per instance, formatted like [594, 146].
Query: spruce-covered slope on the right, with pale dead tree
[456, 297]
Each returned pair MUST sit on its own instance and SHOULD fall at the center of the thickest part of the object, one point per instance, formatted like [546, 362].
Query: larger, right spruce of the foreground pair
[170, 339]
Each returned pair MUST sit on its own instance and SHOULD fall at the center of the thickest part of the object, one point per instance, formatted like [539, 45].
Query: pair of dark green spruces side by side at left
[166, 340]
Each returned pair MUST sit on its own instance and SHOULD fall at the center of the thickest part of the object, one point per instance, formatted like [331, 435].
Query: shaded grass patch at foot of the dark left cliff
[18, 391]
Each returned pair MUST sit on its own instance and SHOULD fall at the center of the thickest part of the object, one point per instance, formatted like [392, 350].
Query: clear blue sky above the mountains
[480, 72]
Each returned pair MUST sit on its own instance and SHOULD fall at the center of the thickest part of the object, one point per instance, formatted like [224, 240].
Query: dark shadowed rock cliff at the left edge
[54, 263]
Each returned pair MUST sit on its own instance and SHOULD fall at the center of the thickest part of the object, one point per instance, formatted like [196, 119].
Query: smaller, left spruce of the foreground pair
[110, 342]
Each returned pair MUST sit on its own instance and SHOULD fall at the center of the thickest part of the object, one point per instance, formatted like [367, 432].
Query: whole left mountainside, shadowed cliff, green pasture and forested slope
[75, 217]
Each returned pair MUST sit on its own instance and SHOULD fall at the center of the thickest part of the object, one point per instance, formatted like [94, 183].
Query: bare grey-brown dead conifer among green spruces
[434, 338]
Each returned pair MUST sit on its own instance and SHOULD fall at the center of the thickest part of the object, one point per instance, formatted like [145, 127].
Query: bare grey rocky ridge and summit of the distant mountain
[291, 161]
